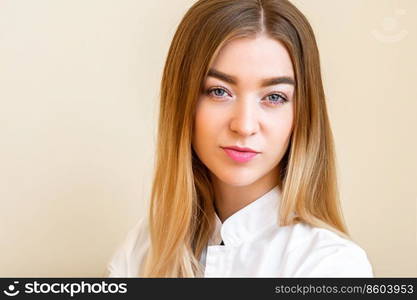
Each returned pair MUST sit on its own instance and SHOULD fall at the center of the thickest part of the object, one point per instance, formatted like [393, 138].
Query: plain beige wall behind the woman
[78, 89]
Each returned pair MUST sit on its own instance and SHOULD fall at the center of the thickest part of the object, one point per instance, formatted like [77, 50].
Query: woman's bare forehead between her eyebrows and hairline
[254, 58]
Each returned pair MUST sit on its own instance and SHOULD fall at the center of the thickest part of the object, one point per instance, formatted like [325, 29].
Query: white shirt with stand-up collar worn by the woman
[256, 246]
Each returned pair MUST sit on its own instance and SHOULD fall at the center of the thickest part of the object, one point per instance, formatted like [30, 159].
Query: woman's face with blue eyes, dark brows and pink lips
[246, 101]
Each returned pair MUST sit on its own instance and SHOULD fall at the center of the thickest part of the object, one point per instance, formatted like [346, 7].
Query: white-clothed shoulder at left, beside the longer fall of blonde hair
[129, 255]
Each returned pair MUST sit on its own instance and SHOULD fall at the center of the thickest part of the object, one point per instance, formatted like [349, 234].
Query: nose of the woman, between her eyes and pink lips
[244, 119]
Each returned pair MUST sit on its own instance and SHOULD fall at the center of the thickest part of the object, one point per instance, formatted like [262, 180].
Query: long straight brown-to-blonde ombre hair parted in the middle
[181, 212]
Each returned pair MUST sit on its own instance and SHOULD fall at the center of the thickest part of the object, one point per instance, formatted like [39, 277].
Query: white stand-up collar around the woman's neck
[249, 221]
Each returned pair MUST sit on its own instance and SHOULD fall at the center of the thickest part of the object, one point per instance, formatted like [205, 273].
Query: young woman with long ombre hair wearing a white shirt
[245, 177]
